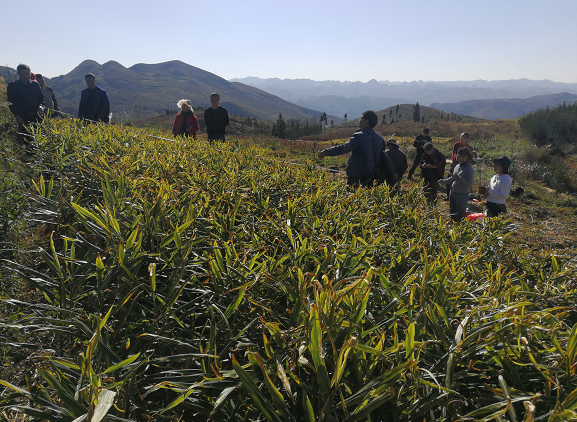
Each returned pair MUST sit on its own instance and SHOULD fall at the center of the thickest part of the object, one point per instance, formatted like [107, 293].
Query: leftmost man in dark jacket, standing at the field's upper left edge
[26, 98]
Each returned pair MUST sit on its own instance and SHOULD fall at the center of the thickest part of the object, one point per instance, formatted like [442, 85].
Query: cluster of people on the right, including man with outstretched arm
[372, 161]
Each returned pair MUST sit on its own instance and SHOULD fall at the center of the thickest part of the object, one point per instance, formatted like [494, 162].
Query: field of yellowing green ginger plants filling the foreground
[182, 280]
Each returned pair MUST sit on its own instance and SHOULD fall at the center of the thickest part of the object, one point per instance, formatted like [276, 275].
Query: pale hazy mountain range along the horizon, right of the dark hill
[353, 98]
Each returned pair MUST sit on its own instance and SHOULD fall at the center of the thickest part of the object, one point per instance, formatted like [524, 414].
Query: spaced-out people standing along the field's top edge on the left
[31, 100]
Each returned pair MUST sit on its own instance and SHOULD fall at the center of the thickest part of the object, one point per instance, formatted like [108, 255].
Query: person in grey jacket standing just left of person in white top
[461, 182]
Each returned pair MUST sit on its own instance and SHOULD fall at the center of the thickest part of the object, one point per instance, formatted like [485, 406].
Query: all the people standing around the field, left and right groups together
[371, 159]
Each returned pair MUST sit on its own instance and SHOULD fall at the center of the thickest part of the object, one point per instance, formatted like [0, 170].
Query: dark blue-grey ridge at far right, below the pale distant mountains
[512, 108]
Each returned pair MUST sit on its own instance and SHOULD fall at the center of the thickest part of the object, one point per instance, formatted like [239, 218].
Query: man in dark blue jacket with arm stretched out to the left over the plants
[364, 149]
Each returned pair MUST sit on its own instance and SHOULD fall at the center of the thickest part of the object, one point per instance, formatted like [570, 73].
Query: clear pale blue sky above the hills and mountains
[395, 40]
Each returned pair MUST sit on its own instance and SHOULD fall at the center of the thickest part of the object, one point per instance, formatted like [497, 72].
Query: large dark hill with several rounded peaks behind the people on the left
[149, 89]
